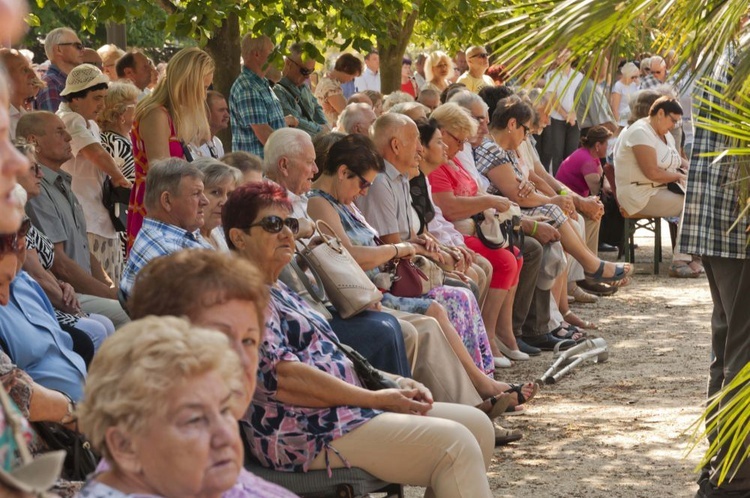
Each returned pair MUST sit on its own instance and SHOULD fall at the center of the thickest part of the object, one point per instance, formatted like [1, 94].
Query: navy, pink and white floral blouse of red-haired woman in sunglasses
[289, 437]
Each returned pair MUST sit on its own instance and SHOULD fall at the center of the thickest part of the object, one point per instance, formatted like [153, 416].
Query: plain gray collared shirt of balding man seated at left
[58, 214]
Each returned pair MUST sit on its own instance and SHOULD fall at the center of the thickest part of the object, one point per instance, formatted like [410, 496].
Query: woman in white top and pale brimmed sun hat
[83, 96]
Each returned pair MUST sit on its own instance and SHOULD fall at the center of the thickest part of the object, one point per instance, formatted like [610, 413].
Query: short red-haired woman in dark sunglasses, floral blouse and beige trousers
[310, 411]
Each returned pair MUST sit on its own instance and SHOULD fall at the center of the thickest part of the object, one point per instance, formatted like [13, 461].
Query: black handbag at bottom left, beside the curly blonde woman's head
[80, 458]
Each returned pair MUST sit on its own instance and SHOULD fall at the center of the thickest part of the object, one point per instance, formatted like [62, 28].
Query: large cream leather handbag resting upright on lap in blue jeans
[348, 287]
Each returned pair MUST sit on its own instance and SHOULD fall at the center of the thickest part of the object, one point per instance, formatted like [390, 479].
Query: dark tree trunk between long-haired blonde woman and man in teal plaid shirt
[224, 48]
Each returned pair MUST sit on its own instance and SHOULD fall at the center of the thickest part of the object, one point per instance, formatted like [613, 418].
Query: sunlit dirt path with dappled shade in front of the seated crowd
[615, 429]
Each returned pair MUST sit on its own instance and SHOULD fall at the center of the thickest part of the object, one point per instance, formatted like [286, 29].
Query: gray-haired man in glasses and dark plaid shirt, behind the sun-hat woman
[64, 51]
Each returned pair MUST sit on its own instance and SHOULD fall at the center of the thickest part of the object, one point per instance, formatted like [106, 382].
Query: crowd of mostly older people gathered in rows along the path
[210, 237]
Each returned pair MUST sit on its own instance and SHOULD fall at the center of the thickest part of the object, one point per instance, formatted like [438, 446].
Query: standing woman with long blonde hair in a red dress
[173, 115]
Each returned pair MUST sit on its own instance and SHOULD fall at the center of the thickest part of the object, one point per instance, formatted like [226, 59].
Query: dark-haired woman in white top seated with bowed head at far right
[646, 161]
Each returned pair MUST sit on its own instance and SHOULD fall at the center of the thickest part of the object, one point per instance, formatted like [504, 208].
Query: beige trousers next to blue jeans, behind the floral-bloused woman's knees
[433, 361]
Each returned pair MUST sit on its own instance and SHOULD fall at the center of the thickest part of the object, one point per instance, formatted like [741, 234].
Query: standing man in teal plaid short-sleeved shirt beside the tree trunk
[254, 108]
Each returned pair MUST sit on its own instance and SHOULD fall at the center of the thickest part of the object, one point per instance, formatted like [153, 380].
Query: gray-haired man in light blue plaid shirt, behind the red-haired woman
[174, 201]
